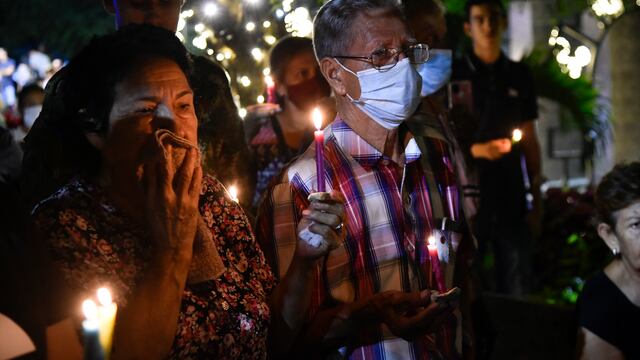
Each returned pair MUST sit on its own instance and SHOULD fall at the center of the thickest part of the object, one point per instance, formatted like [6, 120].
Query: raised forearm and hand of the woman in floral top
[146, 327]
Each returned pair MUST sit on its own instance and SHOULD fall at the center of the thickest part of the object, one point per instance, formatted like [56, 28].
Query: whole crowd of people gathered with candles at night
[360, 243]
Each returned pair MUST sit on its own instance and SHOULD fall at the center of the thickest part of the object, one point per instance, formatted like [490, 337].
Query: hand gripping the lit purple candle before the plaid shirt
[325, 217]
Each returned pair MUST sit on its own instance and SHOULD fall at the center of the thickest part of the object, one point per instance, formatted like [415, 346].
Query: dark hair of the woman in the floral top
[79, 99]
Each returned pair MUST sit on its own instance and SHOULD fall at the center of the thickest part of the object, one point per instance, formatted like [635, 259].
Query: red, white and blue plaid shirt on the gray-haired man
[389, 219]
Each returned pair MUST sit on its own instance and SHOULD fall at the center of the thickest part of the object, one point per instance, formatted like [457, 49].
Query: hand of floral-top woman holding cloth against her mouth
[172, 202]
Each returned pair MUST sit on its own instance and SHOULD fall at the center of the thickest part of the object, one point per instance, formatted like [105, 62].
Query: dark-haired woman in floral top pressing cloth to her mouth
[140, 217]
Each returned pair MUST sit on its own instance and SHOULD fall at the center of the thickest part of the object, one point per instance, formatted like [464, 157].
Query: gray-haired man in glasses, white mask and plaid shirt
[371, 298]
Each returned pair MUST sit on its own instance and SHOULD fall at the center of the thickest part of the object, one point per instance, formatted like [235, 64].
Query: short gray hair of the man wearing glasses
[332, 33]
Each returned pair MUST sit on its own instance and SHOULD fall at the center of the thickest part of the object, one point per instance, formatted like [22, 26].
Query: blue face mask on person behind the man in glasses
[436, 71]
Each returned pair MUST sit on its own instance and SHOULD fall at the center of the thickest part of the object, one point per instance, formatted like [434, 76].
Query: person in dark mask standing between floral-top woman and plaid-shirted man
[277, 136]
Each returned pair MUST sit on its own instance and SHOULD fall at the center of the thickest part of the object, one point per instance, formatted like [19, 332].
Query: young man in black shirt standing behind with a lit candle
[501, 98]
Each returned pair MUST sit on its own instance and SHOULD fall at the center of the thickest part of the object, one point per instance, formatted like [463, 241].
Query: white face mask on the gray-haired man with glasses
[388, 97]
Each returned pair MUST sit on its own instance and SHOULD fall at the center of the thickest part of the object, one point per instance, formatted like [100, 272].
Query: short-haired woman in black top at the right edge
[609, 306]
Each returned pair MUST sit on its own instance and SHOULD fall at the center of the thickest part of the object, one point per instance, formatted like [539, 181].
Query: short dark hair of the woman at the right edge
[617, 190]
